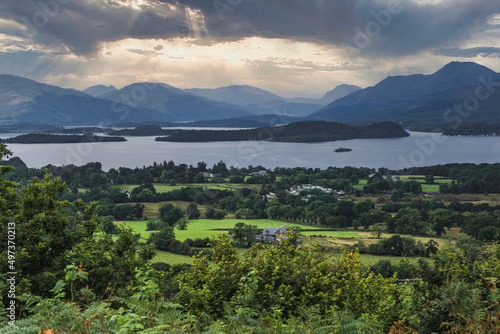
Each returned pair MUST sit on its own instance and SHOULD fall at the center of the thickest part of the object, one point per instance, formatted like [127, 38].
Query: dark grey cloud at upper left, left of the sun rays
[82, 25]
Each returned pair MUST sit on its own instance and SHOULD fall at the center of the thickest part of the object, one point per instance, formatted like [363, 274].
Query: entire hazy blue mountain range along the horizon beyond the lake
[457, 92]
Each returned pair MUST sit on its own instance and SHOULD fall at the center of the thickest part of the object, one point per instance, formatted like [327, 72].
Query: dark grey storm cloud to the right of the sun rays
[385, 27]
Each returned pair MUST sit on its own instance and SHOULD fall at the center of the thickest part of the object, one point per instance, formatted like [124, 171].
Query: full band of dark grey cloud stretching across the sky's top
[374, 27]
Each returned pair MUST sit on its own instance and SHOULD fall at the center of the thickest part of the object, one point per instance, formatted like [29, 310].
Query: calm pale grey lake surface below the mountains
[420, 149]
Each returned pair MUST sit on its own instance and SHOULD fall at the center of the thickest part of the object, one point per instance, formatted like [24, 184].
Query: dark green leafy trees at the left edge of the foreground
[51, 234]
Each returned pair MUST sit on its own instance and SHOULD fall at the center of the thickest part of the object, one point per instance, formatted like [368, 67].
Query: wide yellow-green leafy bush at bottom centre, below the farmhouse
[282, 278]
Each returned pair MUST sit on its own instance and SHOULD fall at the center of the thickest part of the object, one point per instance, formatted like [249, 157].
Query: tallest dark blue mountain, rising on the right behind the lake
[417, 99]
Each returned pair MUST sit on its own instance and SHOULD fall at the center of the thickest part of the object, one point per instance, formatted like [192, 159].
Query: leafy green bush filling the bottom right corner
[458, 293]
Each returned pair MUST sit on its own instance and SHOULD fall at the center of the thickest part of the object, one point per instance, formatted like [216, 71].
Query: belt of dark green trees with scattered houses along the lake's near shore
[411, 214]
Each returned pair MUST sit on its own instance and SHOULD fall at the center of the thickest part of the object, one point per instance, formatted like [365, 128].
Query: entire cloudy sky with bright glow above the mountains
[290, 47]
